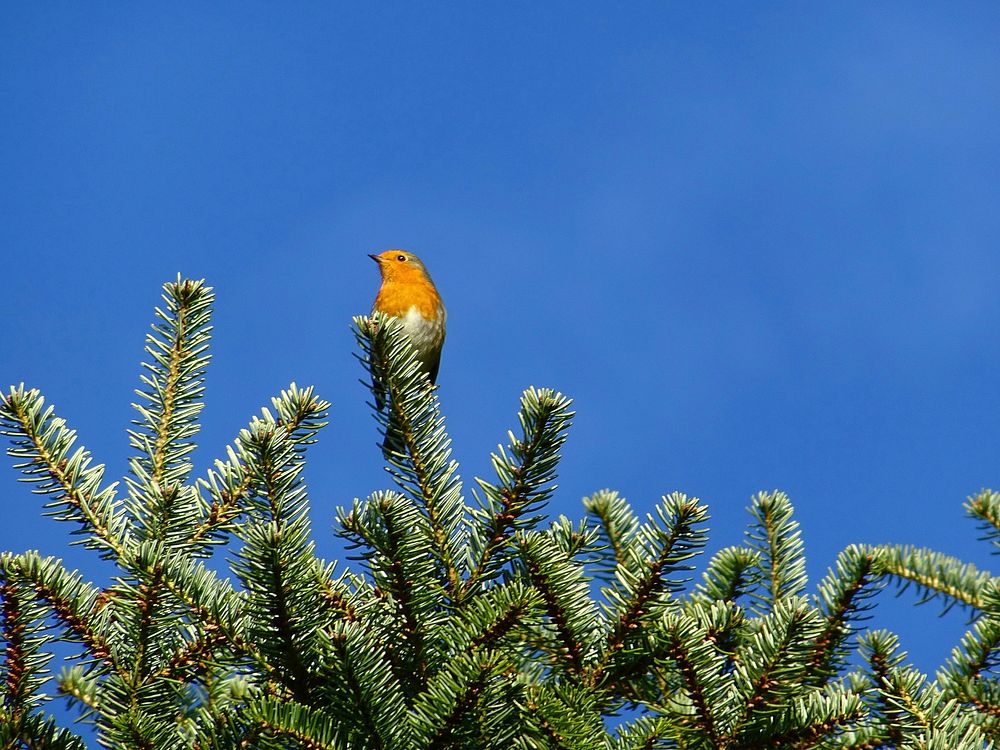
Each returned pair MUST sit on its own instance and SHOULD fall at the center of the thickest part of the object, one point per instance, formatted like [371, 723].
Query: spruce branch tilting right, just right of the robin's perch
[525, 470]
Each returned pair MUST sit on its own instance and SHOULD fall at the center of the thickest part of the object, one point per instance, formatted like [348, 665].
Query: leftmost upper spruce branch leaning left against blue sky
[43, 446]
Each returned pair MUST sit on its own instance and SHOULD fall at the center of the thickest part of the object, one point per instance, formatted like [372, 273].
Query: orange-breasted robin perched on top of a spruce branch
[408, 294]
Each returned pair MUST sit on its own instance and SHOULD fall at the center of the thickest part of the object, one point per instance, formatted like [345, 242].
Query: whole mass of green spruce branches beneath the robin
[466, 624]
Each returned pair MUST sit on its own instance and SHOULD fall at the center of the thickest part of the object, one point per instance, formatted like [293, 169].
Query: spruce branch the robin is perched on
[423, 468]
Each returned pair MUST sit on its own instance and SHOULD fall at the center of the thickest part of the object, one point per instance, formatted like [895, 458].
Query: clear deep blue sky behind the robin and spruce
[759, 244]
